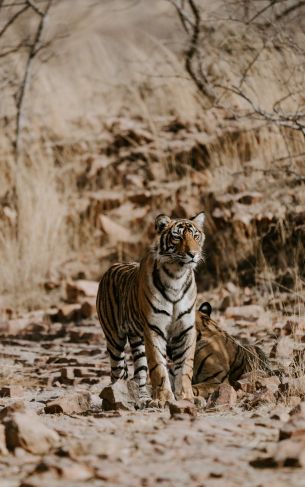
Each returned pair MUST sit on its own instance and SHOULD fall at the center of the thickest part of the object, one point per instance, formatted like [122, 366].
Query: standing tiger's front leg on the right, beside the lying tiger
[183, 346]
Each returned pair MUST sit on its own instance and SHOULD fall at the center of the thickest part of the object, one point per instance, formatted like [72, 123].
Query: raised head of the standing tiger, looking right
[181, 240]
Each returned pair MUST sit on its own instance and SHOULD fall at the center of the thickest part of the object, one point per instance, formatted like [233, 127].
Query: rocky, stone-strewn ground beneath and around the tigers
[56, 430]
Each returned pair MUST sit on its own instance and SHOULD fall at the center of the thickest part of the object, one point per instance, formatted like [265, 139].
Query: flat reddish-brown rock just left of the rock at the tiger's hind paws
[74, 403]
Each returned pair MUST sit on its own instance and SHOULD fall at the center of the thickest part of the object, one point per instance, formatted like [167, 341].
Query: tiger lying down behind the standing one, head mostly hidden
[219, 357]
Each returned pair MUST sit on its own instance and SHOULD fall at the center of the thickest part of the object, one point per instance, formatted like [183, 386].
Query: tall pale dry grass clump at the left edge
[29, 257]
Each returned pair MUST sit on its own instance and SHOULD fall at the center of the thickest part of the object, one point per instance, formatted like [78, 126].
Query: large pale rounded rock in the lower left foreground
[25, 430]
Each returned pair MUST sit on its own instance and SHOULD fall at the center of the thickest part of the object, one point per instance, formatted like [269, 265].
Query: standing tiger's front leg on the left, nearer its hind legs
[155, 346]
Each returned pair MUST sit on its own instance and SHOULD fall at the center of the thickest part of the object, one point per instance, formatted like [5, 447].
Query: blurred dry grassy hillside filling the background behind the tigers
[90, 112]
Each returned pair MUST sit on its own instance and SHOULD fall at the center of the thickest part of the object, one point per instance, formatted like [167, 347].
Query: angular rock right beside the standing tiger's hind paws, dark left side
[118, 396]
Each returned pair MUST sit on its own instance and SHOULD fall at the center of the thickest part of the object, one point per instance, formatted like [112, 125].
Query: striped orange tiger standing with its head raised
[152, 304]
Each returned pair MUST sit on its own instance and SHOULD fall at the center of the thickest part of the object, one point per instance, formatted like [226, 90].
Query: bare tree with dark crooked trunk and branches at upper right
[260, 17]
